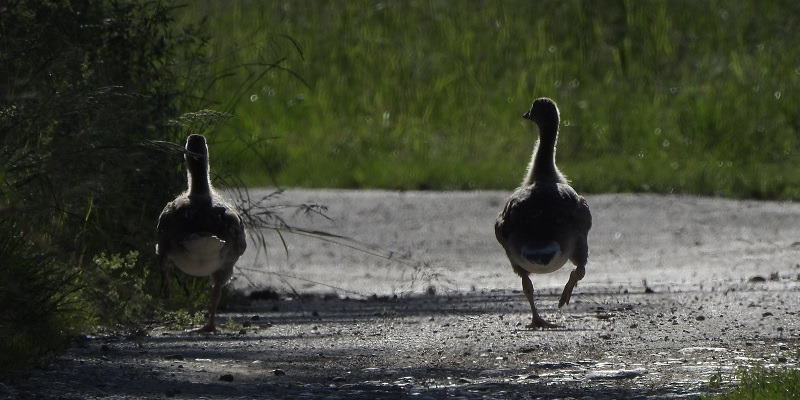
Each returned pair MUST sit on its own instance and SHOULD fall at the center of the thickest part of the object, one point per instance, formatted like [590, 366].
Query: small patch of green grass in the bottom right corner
[762, 383]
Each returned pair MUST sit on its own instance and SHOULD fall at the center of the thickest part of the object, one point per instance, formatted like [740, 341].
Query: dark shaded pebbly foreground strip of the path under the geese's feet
[468, 345]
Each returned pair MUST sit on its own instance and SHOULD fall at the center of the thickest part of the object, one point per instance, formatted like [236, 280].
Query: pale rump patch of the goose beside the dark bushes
[202, 257]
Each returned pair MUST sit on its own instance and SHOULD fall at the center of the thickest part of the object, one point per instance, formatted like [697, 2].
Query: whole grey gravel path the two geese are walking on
[722, 292]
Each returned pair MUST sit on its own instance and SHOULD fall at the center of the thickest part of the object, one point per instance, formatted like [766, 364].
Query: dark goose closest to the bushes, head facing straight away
[199, 232]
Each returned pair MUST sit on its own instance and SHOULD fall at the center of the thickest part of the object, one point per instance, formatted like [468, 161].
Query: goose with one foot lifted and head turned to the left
[544, 223]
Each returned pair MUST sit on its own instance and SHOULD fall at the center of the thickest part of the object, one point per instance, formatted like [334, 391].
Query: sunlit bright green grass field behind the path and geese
[656, 96]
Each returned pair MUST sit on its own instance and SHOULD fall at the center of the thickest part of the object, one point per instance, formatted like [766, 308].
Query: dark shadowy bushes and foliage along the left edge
[88, 90]
